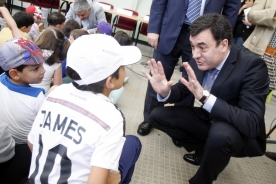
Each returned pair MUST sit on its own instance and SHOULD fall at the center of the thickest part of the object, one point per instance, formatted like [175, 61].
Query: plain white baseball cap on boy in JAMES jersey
[97, 56]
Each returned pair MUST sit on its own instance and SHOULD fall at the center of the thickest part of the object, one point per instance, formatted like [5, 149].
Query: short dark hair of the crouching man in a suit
[216, 23]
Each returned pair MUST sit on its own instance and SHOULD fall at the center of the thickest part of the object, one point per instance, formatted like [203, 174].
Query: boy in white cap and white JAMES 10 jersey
[78, 122]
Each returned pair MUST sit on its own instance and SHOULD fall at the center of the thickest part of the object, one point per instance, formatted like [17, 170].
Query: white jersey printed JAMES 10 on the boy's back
[73, 131]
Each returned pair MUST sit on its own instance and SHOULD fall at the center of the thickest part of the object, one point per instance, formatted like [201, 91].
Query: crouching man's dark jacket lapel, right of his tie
[225, 70]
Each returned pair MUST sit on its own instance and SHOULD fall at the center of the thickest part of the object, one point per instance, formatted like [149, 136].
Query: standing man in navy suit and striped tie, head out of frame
[168, 33]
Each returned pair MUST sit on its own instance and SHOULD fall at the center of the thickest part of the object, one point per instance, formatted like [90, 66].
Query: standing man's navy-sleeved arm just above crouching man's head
[231, 11]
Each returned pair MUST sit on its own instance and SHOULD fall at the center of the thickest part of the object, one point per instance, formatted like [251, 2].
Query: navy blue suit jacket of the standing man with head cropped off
[167, 17]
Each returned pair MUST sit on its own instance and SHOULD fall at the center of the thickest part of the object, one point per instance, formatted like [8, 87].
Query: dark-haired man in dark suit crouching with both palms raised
[232, 84]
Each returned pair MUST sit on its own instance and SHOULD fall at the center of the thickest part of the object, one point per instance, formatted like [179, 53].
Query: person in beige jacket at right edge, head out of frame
[262, 41]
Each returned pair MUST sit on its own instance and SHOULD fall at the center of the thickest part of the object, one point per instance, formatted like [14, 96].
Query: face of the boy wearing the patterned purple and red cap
[32, 74]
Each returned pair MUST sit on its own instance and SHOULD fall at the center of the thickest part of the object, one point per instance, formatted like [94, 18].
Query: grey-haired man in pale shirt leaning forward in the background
[87, 14]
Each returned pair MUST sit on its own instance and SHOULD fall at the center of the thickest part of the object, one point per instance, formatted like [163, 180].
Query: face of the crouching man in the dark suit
[206, 52]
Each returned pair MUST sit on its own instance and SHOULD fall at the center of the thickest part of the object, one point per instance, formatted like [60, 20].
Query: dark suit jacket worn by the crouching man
[241, 88]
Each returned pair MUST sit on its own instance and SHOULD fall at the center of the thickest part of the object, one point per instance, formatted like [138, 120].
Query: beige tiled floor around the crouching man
[161, 162]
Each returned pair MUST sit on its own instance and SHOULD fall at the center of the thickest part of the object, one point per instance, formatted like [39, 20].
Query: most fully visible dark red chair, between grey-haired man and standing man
[126, 23]
